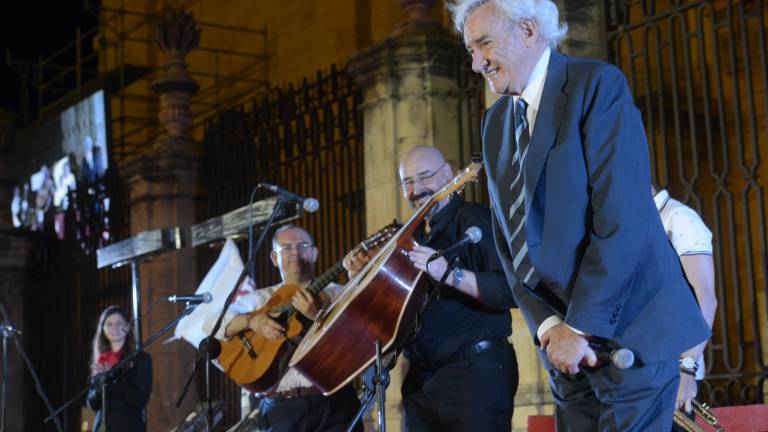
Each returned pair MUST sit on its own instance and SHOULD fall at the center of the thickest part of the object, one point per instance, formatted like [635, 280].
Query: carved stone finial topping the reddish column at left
[177, 35]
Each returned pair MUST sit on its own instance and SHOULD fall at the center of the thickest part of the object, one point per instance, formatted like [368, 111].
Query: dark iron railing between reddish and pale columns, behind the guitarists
[308, 139]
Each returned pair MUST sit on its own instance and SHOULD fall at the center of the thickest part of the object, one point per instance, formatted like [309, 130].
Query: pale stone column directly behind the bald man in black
[410, 97]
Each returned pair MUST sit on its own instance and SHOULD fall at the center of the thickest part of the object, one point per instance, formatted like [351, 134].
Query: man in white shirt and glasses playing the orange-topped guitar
[295, 405]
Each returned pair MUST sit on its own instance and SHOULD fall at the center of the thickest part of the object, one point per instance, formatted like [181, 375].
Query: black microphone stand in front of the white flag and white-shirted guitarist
[210, 347]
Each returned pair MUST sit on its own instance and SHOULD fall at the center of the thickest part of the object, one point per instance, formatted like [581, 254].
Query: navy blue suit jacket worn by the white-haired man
[593, 232]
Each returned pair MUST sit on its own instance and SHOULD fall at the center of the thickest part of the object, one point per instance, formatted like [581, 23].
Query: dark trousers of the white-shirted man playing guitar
[315, 413]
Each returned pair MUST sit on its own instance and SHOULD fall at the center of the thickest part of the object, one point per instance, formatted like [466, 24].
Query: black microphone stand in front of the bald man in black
[381, 378]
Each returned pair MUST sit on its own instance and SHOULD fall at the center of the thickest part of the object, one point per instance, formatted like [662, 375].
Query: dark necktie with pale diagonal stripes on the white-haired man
[521, 263]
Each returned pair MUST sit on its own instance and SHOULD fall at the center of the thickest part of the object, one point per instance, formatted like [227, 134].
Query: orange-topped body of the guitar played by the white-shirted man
[262, 372]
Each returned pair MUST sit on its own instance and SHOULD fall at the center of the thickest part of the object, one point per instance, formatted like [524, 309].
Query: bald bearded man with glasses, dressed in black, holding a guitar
[463, 370]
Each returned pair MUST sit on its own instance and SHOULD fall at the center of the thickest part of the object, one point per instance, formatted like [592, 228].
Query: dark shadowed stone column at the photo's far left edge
[15, 261]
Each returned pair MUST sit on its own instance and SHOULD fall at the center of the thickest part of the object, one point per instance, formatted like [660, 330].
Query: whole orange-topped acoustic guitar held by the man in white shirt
[258, 363]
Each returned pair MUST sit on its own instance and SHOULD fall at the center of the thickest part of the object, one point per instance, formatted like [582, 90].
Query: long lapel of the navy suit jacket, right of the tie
[547, 124]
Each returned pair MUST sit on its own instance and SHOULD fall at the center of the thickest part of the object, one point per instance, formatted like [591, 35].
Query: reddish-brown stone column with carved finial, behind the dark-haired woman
[163, 184]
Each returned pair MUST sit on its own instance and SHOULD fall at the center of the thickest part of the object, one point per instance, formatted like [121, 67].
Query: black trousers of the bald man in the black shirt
[474, 394]
